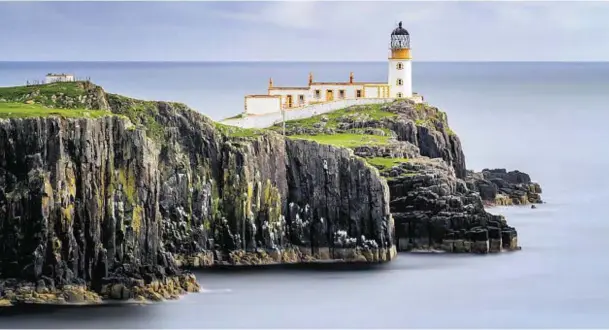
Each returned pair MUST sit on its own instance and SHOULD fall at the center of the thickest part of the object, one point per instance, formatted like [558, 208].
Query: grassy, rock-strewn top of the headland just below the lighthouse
[384, 134]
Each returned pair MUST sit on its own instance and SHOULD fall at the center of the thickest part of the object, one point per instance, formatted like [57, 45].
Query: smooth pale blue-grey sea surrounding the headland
[548, 119]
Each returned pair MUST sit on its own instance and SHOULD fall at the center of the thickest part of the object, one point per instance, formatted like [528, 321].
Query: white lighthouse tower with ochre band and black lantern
[400, 64]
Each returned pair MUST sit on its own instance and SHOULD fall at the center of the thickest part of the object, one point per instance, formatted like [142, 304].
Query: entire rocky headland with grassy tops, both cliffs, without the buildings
[104, 197]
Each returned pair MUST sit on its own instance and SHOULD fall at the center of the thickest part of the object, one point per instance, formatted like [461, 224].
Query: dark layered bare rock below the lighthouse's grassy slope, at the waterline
[435, 211]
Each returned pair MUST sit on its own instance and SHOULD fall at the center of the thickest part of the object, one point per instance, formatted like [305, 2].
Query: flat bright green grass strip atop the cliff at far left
[22, 110]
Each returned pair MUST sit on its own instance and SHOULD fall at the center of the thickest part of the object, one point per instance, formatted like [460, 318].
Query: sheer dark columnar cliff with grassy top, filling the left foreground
[105, 197]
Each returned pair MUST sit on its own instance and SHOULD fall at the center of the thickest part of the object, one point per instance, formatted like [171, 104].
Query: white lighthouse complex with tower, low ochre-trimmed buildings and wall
[398, 85]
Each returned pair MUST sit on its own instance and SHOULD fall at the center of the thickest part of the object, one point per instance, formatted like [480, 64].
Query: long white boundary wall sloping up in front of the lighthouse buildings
[262, 121]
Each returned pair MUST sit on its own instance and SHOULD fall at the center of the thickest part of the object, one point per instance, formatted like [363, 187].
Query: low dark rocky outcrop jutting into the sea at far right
[500, 187]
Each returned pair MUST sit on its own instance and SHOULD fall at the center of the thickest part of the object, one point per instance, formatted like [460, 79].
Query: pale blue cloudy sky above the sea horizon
[307, 30]
